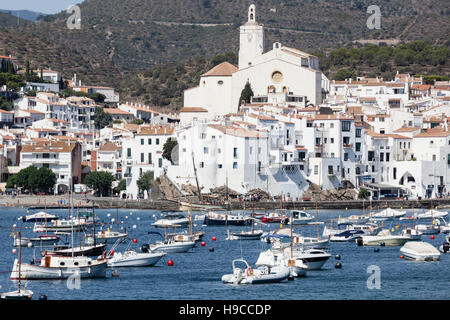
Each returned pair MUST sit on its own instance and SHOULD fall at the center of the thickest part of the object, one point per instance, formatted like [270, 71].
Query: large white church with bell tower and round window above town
[281, 75]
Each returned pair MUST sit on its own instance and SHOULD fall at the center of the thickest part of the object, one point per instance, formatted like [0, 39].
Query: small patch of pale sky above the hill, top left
[43, 6]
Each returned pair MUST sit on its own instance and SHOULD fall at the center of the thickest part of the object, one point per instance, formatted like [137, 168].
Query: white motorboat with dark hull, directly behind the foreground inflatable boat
[273, 258]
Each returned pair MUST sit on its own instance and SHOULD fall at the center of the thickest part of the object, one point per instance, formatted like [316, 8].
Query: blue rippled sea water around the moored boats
[197, 274]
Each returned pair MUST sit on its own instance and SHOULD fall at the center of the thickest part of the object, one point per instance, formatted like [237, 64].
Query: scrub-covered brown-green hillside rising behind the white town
[119, 41]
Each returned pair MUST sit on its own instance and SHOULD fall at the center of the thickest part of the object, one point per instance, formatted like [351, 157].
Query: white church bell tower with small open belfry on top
[251, 42]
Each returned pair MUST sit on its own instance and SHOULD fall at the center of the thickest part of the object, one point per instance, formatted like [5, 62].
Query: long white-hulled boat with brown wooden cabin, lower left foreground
[60, 267]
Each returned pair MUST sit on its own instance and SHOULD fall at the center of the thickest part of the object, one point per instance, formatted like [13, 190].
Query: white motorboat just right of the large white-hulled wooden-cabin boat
[131, 258]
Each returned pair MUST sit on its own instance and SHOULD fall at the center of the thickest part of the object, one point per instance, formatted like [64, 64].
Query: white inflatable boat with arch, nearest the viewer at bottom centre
[263, 274]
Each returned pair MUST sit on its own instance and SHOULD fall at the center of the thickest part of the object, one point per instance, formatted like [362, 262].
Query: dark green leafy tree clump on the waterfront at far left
[33, 179]
